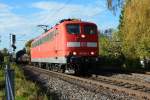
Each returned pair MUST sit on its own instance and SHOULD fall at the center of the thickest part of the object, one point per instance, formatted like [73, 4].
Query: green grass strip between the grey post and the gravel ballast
[26, 89]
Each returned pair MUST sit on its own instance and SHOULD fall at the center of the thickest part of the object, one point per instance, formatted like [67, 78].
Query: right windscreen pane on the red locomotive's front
[90, 29]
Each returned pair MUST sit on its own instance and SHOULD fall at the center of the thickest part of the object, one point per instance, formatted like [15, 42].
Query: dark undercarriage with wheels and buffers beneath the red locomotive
[74, 65]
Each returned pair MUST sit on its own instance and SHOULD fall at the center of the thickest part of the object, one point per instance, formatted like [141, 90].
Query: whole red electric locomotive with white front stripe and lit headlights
[66, 46]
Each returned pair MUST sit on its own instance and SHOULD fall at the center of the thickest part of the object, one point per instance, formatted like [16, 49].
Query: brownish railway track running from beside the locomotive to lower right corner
[141, 91]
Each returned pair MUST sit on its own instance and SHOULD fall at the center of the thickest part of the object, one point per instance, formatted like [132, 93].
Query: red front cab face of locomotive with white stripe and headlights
[81, 43]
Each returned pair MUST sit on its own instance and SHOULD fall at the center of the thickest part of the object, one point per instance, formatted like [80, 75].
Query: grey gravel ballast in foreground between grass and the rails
[68, 91]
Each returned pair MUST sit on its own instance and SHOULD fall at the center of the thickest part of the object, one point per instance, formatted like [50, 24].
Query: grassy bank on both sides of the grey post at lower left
[24, 89]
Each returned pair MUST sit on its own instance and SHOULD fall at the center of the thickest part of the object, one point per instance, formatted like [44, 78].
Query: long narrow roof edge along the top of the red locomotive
[61, 22]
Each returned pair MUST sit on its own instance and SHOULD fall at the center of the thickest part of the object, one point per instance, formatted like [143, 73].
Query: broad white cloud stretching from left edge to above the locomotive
[49, 13]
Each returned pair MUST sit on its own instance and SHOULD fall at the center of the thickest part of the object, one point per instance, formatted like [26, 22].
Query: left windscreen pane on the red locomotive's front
[73, 28]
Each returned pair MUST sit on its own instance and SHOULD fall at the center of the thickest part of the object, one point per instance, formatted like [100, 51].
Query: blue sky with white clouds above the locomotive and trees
[21, 17]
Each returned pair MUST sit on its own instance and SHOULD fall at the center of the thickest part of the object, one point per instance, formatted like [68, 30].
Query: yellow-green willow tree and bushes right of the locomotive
[130, 42]
